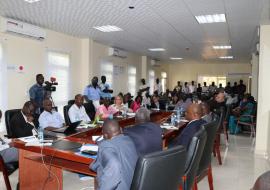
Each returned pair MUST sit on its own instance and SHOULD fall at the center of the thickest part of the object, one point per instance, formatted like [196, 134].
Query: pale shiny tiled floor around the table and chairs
[238, 172]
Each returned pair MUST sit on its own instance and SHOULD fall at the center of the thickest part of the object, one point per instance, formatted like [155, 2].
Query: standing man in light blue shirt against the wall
[92, 92]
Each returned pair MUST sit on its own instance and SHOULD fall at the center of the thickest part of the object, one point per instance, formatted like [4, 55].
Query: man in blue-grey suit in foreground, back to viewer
[116, 159]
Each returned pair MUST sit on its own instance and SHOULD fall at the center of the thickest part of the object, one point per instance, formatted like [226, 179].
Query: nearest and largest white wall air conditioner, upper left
[21, 28]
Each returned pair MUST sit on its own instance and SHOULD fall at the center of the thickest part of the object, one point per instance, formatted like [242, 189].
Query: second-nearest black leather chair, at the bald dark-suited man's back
[194, 154]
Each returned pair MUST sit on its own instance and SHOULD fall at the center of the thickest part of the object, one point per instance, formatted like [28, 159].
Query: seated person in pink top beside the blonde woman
[106, 110]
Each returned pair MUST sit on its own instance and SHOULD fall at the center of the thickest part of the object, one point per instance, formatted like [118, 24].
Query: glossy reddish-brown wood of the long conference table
[41, 167]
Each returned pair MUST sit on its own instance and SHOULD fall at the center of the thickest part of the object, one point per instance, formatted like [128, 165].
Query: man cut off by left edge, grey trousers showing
[9, 154]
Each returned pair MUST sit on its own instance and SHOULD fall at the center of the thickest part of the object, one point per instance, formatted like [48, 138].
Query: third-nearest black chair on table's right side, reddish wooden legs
[205, 163]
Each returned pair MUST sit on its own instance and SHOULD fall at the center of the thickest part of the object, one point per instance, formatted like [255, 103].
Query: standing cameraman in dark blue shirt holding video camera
[37, 93]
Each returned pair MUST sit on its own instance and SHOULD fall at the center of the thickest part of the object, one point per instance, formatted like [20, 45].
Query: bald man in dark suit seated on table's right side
[193, 115]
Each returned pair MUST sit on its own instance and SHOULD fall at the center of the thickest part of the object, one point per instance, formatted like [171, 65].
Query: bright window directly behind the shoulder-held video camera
[58, 67]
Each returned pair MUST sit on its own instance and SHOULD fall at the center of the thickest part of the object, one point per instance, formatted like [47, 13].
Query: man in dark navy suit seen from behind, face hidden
[147, 136]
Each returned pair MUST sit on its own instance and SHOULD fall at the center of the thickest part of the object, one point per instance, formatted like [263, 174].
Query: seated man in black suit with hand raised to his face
[22, 123]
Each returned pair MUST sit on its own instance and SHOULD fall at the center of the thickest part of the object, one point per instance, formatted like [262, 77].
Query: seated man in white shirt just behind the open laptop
[77, 111]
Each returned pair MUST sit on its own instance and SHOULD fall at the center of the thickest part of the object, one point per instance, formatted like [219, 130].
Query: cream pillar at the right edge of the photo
[263, 113]
